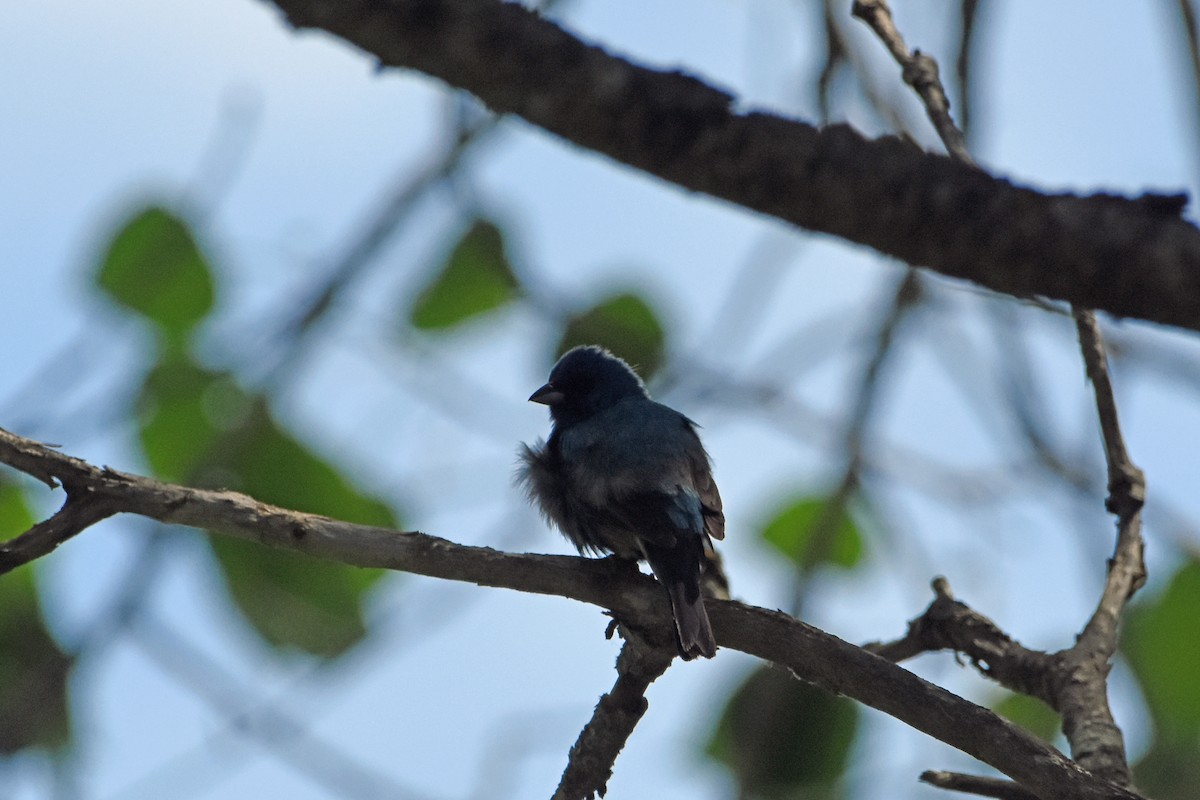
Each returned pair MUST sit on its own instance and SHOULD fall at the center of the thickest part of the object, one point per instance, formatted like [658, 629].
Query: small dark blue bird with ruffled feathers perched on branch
[625, 476]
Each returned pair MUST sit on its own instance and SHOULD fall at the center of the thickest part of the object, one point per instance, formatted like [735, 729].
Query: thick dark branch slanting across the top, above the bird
[1135, 258]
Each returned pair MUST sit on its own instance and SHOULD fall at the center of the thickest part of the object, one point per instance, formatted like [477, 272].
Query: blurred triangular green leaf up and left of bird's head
[477, 278]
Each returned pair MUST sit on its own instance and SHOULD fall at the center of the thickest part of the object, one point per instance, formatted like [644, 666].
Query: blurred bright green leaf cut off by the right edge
[1162, 646]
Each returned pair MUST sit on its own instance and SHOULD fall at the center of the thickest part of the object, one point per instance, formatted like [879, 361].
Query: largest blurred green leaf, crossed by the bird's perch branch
[201, 429]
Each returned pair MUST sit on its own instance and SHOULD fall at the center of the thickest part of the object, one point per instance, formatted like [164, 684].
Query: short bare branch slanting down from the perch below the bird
[590, 765]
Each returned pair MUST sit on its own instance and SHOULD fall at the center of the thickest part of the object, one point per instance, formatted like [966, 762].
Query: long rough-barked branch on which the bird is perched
[813, 655]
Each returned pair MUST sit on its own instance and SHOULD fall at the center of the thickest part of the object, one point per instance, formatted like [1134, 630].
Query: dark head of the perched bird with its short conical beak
[587, 381]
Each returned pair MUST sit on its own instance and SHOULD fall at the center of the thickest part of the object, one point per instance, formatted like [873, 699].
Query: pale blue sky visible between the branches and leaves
[283, 143]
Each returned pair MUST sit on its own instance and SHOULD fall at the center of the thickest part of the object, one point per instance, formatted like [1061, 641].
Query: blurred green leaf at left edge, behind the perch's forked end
[34, 671]
